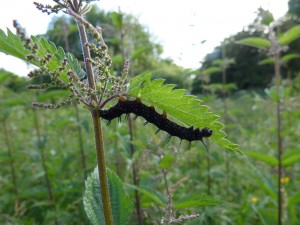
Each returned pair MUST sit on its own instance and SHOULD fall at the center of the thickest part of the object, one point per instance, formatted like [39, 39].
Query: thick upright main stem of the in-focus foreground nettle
[98, 134]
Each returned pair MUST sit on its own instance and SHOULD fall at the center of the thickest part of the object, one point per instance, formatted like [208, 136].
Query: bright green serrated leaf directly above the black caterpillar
[184, 108]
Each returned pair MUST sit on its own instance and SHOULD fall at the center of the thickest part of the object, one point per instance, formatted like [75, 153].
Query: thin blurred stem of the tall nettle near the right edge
[279, 137]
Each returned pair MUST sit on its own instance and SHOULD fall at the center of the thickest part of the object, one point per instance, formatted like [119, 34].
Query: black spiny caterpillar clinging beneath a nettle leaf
[151, 116]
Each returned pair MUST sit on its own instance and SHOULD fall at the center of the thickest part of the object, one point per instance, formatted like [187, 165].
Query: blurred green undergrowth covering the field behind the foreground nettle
[187, 169]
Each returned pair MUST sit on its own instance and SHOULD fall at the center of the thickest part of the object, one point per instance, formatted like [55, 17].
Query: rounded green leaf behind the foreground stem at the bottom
[120, 201]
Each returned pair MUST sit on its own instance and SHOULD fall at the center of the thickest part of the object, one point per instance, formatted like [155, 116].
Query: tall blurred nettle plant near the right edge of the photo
[275, 43]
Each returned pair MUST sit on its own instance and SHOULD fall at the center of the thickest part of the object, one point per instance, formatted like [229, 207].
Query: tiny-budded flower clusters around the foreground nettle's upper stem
[90, 93]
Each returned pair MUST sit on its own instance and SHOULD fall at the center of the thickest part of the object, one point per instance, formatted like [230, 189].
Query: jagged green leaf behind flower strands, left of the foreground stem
[12, 45]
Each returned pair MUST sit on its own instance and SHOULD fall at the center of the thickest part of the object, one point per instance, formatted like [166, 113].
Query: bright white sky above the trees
[180, 26]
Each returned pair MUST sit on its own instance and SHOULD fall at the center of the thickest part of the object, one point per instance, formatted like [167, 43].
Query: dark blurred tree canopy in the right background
[247, 73]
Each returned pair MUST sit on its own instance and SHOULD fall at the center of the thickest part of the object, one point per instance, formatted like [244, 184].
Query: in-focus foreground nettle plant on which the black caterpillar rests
[93, 86]
